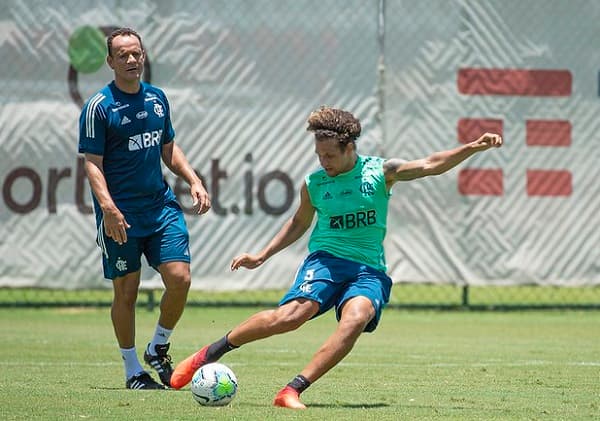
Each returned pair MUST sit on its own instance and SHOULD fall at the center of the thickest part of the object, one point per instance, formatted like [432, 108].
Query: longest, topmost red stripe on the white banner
[514, 82]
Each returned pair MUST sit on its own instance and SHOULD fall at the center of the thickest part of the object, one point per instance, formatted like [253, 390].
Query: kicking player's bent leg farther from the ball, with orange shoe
[356, 314]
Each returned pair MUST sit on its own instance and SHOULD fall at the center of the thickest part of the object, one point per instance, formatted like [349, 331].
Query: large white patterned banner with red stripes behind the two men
[242, 78]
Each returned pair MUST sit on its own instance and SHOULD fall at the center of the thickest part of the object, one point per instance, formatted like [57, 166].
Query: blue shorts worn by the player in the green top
[331, 281]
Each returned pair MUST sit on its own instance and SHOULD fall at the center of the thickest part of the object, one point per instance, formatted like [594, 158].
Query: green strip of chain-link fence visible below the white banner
[403, 296]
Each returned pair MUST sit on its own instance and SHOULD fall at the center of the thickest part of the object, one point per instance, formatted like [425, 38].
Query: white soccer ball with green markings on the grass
[214, 384]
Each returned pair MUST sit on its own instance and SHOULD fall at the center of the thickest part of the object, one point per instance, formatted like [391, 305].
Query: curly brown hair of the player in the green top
[327, 122]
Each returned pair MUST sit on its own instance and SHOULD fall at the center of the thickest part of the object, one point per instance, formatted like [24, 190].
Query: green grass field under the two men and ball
[63, 364]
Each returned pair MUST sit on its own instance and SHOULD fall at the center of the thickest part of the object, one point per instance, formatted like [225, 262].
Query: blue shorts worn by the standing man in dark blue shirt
[165, 239]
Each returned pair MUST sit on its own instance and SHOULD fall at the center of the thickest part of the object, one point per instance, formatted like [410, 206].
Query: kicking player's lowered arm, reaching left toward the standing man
[291, 231]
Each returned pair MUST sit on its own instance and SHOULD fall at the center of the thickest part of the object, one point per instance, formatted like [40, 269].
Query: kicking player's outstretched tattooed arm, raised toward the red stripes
[438, 162]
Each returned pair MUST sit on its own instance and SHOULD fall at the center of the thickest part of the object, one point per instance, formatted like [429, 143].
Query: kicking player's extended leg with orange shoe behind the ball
[285, 318]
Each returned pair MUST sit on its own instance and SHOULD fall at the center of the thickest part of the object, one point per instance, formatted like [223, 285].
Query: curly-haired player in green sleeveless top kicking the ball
[345, 267]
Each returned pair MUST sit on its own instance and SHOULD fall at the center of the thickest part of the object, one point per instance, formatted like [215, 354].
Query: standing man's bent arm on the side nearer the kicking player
[175, 160]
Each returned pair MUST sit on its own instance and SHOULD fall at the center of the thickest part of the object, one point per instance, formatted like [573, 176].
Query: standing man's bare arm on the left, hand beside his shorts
[115, 224]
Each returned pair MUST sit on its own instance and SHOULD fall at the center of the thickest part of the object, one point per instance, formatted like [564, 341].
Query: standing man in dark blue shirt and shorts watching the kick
[125, 132]
